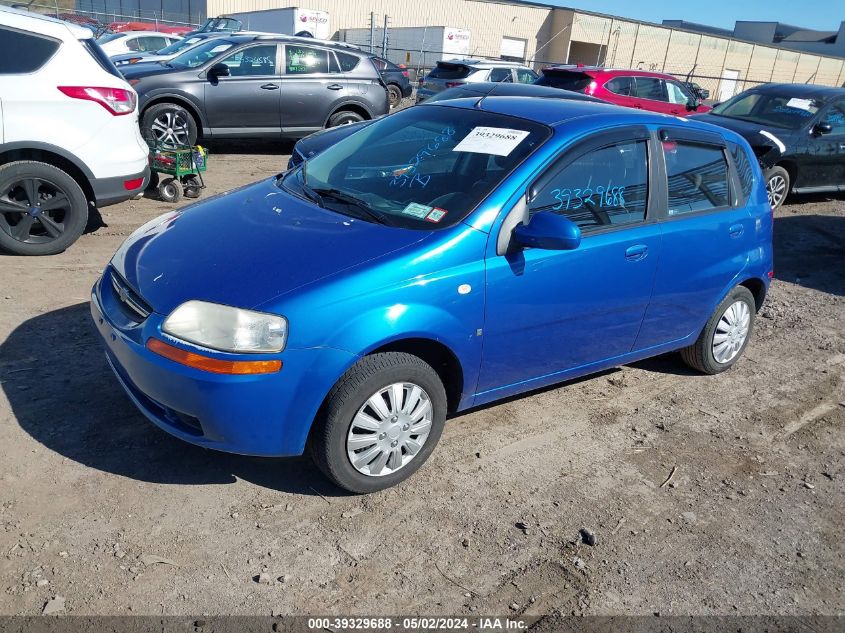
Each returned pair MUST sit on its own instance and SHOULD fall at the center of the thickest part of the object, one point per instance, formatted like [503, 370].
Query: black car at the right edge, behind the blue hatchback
[797, 132]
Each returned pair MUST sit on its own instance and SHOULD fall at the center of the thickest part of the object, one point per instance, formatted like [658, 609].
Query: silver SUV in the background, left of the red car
[456, 72]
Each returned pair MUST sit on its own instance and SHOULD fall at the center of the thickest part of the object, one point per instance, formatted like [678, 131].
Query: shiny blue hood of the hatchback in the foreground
[246, 247]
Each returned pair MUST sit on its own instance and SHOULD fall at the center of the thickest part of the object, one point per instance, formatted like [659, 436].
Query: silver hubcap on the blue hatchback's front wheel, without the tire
[389, 429]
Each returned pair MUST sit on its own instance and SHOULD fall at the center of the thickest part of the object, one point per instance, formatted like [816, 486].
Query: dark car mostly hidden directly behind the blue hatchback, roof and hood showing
[316, 143]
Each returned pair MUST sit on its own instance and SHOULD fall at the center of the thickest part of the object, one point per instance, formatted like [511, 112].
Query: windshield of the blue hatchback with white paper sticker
[421, 168]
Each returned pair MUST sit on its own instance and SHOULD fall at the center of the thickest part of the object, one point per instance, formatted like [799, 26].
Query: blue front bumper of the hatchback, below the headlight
[265, 415]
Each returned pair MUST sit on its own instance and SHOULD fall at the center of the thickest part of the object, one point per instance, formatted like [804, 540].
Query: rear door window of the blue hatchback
[698, 177]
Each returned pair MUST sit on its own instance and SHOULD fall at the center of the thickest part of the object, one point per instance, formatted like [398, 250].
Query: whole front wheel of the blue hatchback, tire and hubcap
[380, 423]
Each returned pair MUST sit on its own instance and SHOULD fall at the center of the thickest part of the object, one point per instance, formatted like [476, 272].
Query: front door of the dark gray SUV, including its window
[248, 99]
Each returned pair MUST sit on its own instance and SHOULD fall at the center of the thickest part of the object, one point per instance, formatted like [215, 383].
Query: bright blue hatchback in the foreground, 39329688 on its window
[441, 258]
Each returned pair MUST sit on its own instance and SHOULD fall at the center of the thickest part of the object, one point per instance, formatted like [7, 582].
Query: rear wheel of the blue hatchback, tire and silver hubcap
[726, 334]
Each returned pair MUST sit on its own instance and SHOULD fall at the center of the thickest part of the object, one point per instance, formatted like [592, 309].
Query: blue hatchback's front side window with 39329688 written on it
[604, 187]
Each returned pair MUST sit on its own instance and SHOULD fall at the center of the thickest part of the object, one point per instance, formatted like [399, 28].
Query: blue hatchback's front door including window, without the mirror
[552, 311]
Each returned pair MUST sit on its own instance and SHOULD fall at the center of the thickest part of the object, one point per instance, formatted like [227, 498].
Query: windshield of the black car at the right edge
[769, 109]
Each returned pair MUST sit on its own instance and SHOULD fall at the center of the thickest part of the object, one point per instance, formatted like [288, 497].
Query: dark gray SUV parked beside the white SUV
[248, 86]
